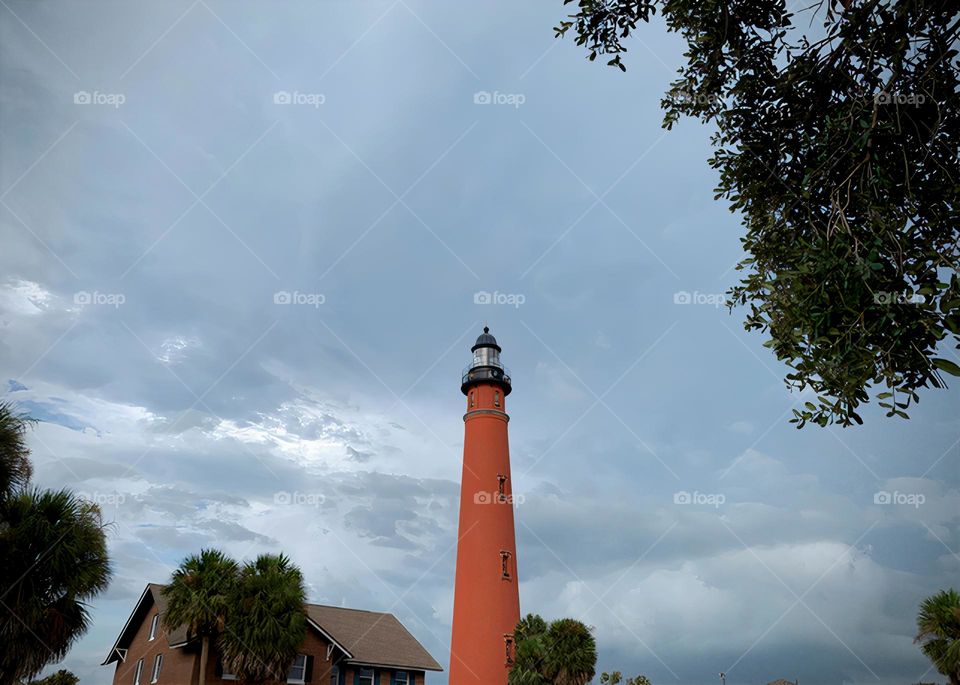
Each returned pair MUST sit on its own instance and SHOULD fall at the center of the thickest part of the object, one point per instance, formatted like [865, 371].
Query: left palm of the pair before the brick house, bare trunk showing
[198, 598]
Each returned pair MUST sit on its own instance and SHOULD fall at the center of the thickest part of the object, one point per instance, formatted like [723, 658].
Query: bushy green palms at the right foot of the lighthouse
[561, 653]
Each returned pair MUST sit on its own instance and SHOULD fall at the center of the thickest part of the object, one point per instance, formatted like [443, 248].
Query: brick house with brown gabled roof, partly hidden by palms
[340, 647]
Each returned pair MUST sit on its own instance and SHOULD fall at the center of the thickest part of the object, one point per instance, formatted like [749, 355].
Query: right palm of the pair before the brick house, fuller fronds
[266, 623]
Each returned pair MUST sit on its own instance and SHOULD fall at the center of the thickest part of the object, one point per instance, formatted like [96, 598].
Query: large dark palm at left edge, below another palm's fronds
[54, 556]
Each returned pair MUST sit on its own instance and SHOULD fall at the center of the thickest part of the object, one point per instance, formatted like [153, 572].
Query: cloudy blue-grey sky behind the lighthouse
[247, 246]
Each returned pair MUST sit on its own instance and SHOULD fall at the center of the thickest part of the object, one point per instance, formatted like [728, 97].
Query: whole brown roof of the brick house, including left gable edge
[366, 637]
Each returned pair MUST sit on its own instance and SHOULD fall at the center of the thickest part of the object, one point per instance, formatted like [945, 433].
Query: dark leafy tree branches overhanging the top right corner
[837, 139]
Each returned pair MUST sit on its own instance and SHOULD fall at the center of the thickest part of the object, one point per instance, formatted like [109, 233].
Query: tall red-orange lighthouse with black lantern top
[486, 602]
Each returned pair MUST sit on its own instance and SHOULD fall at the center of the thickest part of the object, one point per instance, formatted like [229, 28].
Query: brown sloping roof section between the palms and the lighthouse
[372, 637]
